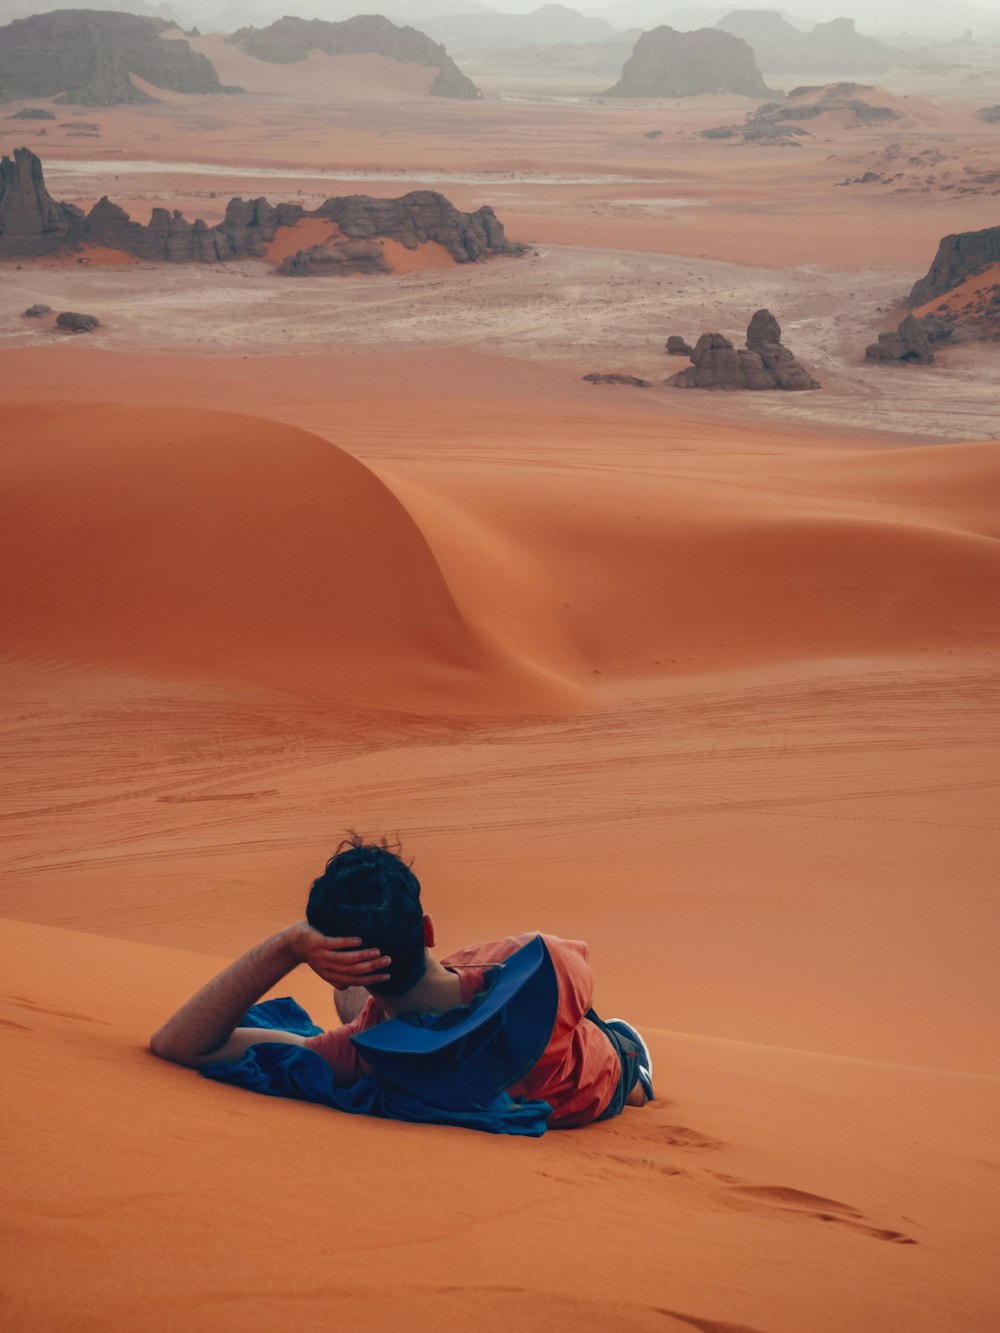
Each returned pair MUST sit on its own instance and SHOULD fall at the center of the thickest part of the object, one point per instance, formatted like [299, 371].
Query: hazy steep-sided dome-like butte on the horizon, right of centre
[682, 65]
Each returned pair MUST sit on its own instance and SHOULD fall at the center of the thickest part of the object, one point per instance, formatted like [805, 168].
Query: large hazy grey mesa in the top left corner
[87, 58]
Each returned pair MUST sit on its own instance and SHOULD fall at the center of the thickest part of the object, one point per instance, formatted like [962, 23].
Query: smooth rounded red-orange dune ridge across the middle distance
[195, 542]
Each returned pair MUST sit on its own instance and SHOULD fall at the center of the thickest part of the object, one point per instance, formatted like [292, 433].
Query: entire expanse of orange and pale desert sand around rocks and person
[707, 680]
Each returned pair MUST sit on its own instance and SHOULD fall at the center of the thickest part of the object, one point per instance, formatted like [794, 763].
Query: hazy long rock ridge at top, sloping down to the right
[290, 41]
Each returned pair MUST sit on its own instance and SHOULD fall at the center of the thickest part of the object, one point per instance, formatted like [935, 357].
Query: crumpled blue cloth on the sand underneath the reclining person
[279, 1070]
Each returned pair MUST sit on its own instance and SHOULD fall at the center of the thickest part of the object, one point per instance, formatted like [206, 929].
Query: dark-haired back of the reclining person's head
[369, 892]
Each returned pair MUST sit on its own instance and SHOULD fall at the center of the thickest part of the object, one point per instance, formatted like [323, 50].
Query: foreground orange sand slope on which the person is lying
[234, 1208]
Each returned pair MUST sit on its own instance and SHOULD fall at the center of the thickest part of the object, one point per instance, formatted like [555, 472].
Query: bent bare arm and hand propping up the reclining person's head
[205, 1030]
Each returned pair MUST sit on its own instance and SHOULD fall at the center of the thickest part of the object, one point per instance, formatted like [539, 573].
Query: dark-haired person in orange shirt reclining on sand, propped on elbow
[367, 935]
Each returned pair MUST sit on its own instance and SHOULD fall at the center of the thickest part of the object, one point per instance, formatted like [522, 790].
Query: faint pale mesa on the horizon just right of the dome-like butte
[831, 49]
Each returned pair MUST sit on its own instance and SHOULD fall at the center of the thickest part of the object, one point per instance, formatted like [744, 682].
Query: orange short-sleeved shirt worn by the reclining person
[578, 1071]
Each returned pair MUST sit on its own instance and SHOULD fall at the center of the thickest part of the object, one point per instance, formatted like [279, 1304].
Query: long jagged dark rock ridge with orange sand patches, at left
[34, 225]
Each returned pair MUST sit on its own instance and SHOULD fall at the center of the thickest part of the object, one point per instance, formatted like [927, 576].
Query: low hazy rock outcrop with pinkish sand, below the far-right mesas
[781, 123]
